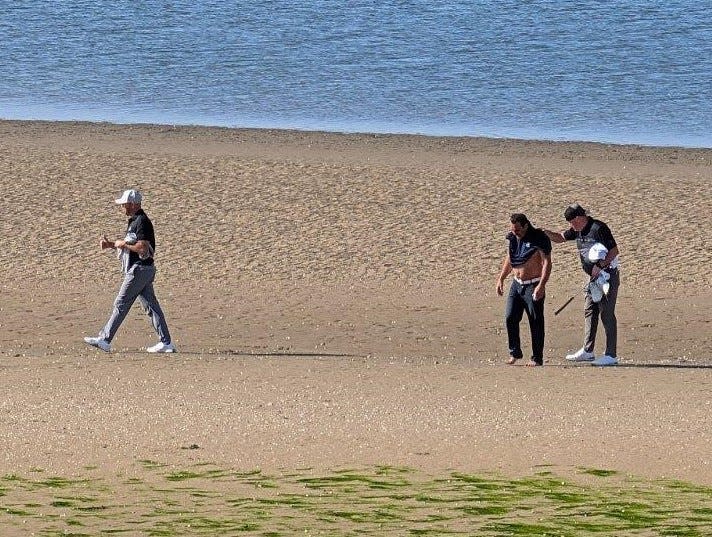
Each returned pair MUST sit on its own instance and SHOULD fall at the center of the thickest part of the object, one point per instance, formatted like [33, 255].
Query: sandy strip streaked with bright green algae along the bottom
[203, 499]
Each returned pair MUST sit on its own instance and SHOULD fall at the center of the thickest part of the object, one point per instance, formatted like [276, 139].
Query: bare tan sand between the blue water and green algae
[333, 300]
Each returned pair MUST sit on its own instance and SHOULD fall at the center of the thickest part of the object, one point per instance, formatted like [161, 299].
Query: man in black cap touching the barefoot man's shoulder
[599, 258]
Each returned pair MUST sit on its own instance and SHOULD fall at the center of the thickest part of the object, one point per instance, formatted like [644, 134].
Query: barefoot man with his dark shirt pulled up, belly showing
[529, 258]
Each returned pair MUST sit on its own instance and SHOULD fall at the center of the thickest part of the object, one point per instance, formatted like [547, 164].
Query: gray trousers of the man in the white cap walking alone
[138, 283]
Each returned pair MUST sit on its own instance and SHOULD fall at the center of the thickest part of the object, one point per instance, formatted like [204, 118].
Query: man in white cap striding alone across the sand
[136, 252]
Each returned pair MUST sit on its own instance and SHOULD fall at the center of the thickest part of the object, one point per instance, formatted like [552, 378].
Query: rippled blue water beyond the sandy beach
[617, 71]
